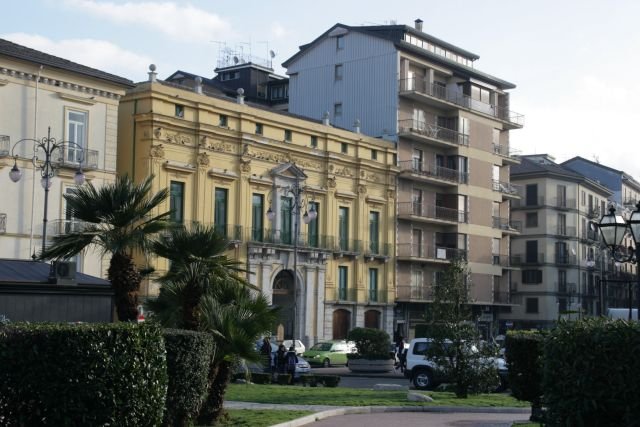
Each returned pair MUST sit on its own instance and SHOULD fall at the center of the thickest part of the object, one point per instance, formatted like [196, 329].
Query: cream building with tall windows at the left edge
[79, 105]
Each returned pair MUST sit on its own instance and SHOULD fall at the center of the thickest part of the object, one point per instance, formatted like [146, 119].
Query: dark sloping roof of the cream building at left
[17, 51]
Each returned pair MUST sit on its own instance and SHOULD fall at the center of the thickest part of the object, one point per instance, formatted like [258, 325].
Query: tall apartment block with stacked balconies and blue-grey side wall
[451, 124]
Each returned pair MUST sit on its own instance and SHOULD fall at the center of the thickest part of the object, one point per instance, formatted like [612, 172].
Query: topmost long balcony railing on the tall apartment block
[465, 101]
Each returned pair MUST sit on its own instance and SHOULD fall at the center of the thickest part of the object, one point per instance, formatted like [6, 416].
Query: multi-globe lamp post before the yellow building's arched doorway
[296, 191]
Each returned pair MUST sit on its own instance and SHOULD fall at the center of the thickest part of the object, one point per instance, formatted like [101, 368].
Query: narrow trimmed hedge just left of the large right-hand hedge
[524, 359]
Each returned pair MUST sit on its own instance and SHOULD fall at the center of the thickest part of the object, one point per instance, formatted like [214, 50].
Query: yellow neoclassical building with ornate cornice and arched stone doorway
[254, 173]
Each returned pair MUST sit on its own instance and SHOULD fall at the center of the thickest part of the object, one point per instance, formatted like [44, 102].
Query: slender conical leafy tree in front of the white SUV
[456, 347]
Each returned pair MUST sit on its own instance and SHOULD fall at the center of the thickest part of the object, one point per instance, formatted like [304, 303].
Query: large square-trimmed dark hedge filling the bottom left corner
[91, 374]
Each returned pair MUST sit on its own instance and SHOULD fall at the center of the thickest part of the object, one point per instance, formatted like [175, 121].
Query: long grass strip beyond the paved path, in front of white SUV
[356, 397]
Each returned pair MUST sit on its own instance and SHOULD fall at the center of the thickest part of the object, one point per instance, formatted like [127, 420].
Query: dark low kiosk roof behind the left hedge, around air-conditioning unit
[37, 272]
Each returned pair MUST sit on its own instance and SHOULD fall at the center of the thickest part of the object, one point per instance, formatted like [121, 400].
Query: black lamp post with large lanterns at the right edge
[613, 229]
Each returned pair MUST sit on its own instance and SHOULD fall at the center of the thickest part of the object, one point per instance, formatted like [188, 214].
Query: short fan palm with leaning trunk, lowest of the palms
[236, 316]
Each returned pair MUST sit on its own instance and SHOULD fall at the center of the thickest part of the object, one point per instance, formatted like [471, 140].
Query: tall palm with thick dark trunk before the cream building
[118, 218]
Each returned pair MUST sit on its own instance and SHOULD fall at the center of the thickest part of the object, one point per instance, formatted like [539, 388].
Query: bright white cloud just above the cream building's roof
[99, 54]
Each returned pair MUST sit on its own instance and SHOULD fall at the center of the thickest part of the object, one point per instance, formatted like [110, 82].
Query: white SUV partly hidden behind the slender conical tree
[425, 373]
